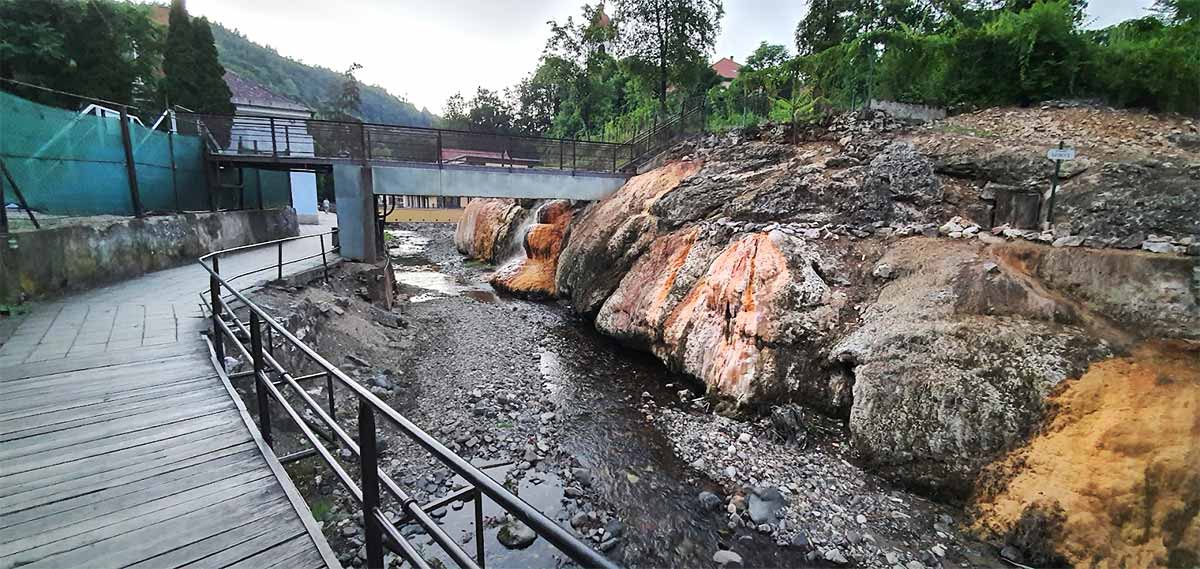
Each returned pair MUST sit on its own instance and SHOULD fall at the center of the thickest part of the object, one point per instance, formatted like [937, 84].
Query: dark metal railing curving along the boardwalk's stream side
[367, 490]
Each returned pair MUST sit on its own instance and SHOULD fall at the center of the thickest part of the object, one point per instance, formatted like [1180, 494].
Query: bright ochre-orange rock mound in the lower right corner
[1121, 457]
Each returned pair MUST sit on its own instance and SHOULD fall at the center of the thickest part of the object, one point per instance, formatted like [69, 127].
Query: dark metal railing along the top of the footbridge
[327, 141]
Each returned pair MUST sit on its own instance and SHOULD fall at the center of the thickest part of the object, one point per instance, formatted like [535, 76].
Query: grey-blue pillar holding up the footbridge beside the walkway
[355, 190]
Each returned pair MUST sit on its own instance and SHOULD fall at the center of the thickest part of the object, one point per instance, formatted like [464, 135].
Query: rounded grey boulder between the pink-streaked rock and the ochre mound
[953, 363]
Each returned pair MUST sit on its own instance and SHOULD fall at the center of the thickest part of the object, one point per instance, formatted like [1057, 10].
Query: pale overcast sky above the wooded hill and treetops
[427, 51]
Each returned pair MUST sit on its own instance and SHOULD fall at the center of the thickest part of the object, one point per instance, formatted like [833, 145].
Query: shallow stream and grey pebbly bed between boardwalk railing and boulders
[603, 439]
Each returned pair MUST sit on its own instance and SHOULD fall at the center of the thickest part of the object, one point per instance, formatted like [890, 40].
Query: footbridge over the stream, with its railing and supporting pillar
[370, 160]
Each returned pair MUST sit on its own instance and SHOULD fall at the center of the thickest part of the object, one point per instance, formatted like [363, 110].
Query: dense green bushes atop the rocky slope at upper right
[1023, 52]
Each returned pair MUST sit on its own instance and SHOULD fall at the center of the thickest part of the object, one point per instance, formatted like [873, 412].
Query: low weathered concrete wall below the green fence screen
[52, 262]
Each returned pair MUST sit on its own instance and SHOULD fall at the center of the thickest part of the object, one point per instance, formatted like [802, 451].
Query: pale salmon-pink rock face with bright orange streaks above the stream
[719, 325]
